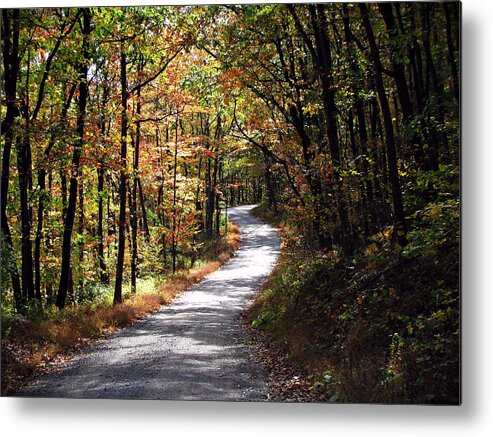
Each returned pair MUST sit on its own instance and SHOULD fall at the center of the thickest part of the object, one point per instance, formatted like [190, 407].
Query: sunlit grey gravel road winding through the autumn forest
[193, 349]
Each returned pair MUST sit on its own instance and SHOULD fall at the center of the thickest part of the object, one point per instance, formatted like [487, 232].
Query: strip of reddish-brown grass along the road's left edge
[41, 343]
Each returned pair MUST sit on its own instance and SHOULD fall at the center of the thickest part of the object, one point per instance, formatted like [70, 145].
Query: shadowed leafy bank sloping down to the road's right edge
[371, 329]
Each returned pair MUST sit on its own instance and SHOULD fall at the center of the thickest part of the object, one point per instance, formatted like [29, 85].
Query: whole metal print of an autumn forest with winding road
[232, 202]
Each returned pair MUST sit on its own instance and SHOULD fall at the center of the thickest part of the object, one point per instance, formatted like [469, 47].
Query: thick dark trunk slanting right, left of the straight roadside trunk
[81, 117]
